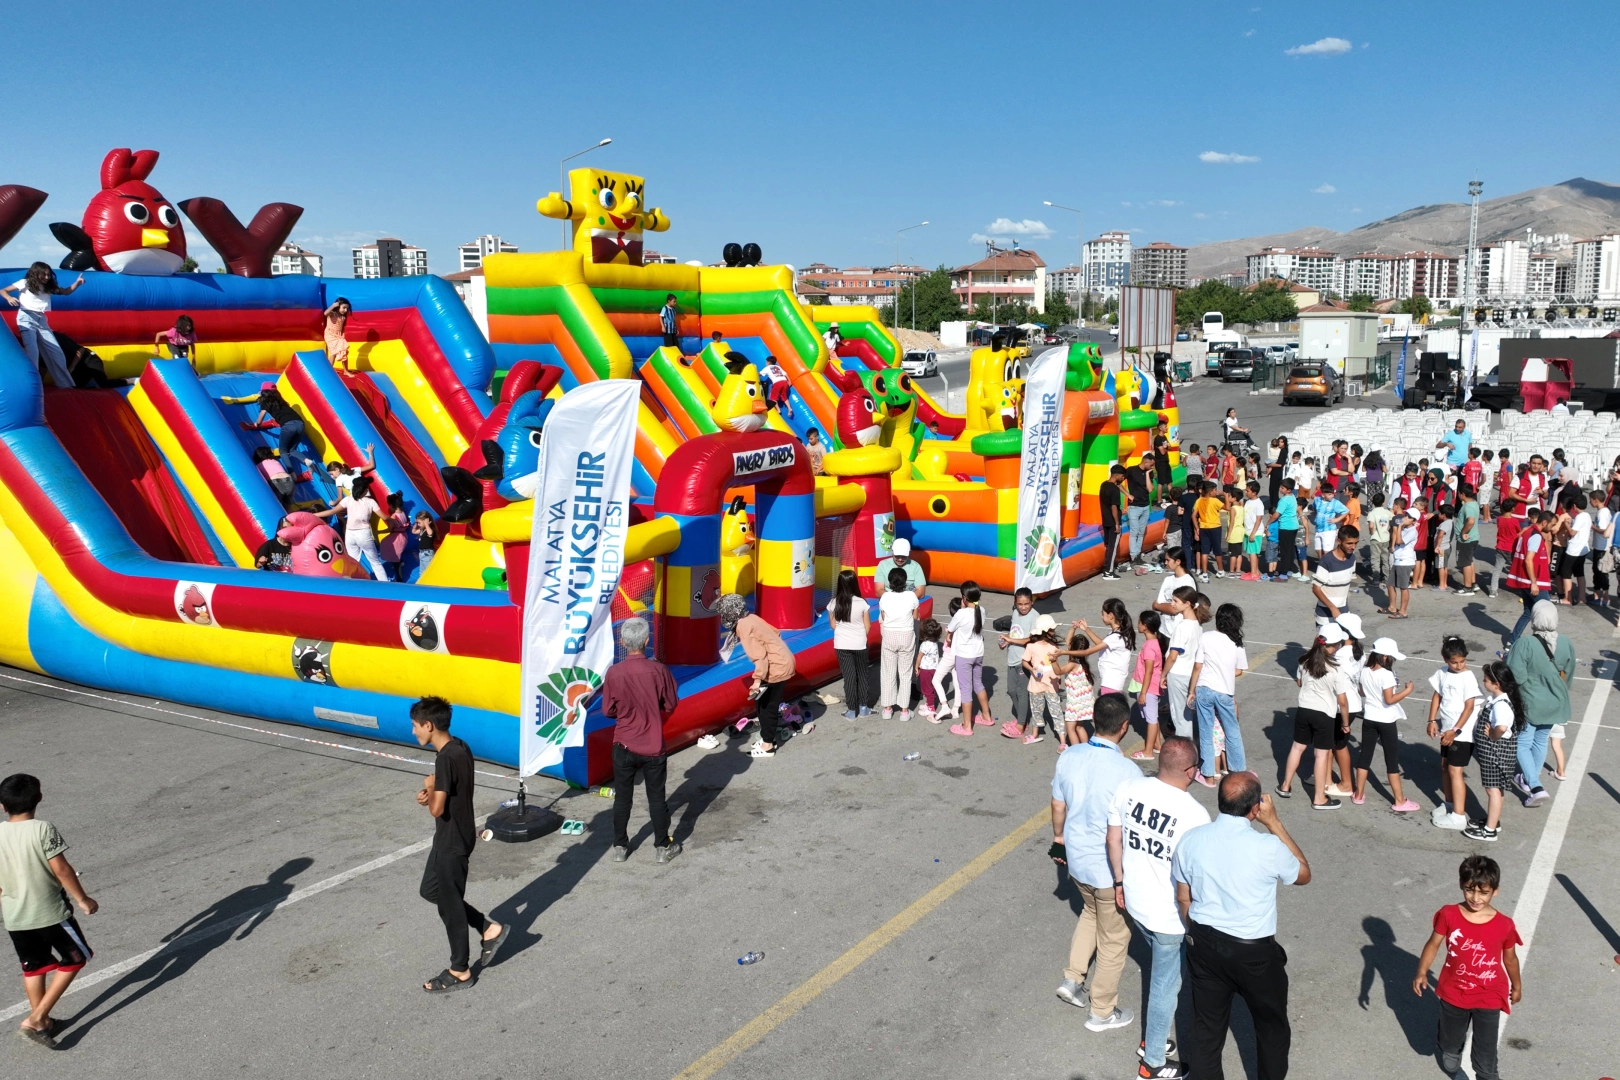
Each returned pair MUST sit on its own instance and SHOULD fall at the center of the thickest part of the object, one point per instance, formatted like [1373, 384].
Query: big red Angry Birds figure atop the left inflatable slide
[129, 227]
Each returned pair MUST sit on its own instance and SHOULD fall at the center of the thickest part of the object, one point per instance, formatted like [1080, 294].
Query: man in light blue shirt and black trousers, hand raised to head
[1227, 878]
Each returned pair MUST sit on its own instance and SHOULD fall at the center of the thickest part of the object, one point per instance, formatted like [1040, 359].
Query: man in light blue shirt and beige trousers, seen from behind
[1083, 793]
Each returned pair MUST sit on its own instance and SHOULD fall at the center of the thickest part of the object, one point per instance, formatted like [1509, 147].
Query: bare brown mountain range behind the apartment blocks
[1580, 208]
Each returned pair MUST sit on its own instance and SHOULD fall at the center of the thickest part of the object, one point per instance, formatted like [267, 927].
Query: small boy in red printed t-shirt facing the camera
[1480, 977]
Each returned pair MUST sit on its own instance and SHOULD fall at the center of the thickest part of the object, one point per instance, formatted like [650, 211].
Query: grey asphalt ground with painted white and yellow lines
[911, 922]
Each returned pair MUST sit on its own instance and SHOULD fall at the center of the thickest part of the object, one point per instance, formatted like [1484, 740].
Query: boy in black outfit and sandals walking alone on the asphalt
[448, 796]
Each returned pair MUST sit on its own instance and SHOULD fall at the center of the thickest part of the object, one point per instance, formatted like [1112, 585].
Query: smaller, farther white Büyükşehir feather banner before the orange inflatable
[1039, 467]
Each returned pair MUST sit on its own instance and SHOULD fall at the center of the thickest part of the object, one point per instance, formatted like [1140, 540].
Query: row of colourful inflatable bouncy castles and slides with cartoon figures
[134, 512]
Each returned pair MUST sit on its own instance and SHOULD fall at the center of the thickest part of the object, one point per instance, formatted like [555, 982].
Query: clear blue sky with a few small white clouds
[814, 130]
